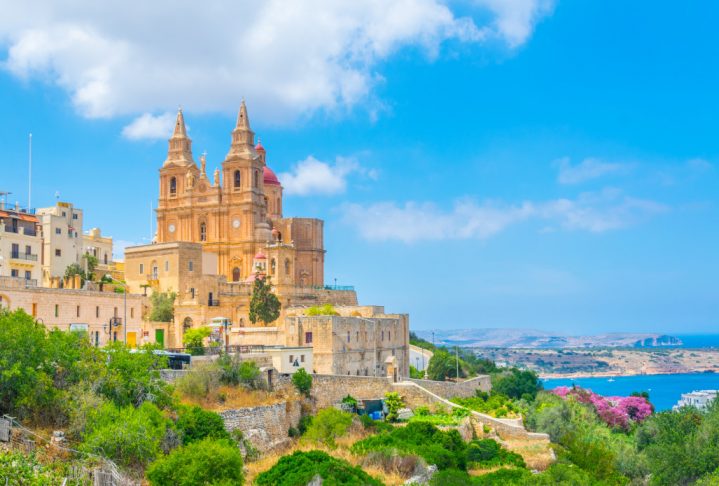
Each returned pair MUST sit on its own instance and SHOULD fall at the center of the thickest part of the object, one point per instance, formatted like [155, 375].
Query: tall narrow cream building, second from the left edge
[62, 239]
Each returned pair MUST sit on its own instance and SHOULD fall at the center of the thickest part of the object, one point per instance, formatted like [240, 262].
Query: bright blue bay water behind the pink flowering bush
[664, 390]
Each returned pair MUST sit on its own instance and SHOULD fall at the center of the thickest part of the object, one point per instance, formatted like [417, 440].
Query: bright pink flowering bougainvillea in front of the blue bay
[618, 412]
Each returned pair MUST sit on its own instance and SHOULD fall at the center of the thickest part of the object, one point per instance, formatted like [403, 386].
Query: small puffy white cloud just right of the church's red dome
[314, 177]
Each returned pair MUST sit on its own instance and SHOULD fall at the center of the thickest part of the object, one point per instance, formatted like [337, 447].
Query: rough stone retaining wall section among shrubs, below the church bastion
[265, 426]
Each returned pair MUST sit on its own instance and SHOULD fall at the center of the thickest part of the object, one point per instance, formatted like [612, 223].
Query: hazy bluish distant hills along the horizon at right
[531, 338]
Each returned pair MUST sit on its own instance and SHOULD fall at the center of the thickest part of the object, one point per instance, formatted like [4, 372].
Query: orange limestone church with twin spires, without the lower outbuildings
[237, 212]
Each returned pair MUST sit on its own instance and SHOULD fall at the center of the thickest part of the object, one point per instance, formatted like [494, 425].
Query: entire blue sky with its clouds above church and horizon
[479, 163]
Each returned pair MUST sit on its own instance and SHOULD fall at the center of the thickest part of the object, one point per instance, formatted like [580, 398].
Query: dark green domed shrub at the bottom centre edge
[300, 467]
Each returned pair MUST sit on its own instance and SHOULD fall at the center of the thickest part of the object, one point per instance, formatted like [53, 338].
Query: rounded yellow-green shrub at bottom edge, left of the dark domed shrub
[207, 462]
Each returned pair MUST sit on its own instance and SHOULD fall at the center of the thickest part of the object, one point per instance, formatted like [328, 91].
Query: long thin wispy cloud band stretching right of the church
[594, 212]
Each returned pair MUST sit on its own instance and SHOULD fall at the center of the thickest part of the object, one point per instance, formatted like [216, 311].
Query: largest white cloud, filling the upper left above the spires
[287, 58]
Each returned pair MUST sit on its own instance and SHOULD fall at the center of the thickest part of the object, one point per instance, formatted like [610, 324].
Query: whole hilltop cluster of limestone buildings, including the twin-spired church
[216, 235]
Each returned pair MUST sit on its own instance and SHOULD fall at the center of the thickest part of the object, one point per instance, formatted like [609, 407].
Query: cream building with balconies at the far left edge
[20, 246]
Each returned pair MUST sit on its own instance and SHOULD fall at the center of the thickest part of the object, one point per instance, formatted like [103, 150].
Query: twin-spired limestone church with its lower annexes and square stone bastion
[216, 233]
